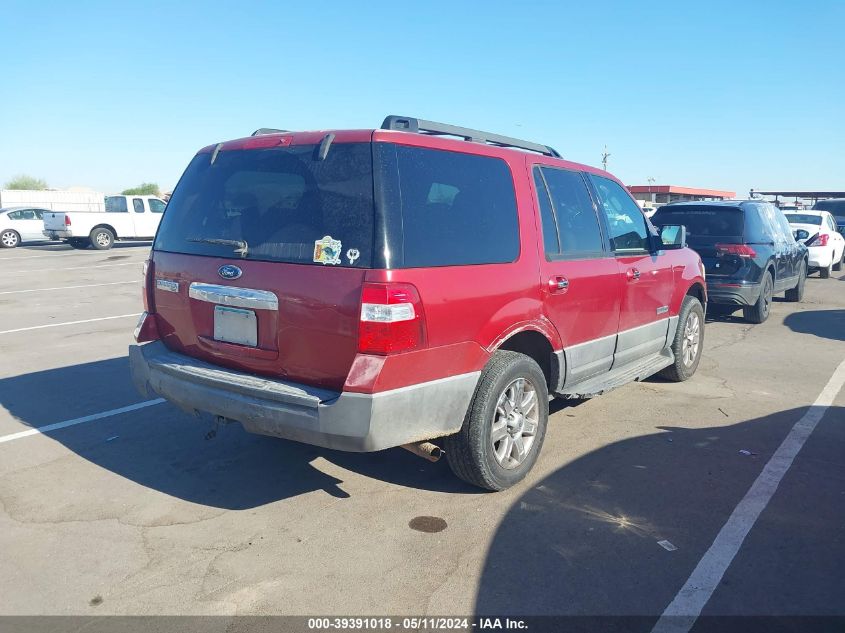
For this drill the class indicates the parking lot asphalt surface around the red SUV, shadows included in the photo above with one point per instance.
(140, 512)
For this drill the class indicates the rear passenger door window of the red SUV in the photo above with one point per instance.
(574, 218)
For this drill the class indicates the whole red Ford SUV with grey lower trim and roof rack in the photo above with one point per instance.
(364, 289)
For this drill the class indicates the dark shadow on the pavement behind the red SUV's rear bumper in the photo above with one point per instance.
(165, 449)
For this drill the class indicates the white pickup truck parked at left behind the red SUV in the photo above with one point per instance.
(125, 218)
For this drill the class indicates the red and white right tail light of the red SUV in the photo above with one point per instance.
(392, 319)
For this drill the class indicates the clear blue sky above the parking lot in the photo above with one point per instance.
(727, 95)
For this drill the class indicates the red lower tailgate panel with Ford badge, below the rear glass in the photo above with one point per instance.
(310, 336)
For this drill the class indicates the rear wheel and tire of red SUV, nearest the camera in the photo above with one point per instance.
(501, 408)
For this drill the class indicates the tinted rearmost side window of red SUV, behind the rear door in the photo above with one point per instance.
(446, 208)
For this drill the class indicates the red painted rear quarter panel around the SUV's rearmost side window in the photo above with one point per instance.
(469, 309)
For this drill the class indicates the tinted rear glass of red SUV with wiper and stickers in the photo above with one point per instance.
(279, 205)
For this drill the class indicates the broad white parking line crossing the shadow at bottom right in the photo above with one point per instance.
(682, 612)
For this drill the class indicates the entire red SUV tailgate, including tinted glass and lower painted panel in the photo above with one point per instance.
(275, 241)
